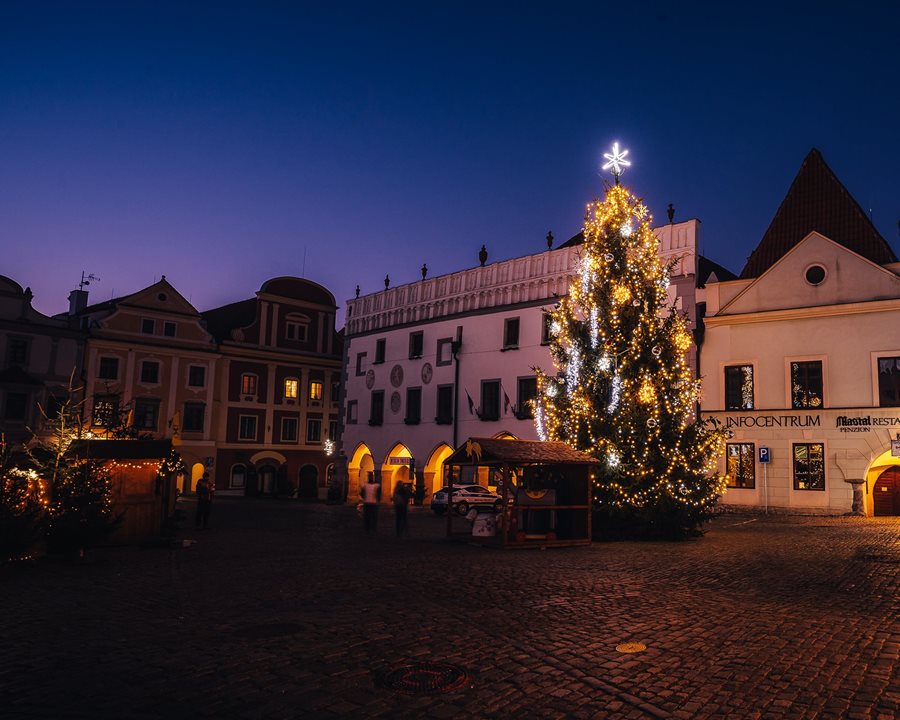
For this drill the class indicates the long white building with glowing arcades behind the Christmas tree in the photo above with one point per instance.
(432, 363)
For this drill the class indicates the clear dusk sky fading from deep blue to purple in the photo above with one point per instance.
(224, 143)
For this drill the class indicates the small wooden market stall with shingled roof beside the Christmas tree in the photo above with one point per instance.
(545, 487)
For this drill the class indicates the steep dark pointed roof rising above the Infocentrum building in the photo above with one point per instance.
(818, 202)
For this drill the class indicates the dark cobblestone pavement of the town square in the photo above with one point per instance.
(286, 610)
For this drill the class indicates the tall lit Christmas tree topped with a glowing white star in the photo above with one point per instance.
(624, 391)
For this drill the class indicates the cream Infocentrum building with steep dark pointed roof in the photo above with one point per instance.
(801, 359)
